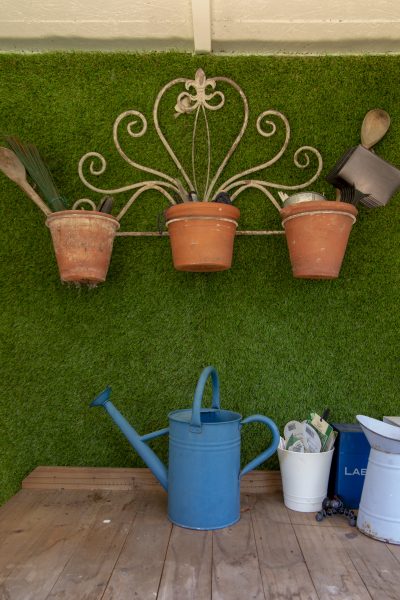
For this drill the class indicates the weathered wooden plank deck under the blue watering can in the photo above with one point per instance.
(99, 543)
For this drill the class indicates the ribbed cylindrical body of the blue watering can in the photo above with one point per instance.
(203, 471)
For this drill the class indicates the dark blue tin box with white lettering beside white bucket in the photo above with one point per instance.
(349, 463)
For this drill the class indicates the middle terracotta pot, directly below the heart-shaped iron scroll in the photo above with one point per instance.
(202, 235)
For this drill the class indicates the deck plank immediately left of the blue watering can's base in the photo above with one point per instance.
(138, 570)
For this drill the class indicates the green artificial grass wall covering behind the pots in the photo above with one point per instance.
(282, 346)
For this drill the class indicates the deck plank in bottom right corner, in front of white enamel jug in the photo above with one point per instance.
(374, 562)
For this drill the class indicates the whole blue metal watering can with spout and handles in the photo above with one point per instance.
(203, 477)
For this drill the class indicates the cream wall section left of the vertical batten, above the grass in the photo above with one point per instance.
(95, 24)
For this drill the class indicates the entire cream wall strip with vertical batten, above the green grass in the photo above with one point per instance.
(266, 26)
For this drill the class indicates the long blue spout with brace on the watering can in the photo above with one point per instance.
(137, 442)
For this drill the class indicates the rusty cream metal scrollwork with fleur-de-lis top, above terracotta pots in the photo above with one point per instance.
(199, 96)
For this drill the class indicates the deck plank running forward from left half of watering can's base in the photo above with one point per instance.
(187, 569)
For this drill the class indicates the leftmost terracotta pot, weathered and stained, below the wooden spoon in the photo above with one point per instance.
(83, 242)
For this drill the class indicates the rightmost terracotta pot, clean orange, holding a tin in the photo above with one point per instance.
(317, 234)
